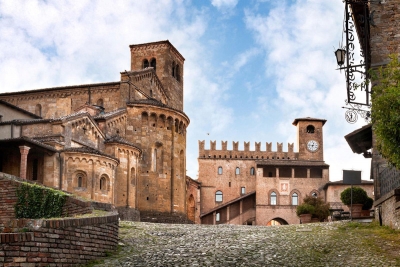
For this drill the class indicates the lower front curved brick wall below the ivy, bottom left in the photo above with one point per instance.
(59, 242)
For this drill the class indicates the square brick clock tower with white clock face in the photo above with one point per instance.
(310, 138)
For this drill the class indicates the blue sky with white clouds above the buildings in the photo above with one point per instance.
(251, 68)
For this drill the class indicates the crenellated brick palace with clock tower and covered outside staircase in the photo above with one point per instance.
(262, 187)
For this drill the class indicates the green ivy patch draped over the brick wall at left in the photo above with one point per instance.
(35, 201)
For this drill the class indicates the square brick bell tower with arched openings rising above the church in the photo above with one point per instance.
(168, 65)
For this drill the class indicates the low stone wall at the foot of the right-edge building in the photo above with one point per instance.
(388, 206)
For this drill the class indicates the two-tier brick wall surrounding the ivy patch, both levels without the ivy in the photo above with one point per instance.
(53, 242)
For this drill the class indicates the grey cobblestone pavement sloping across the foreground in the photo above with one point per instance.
(320, 244)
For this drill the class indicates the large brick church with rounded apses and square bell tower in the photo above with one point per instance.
(120, 142)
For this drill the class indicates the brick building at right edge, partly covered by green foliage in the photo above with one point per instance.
(383, 27)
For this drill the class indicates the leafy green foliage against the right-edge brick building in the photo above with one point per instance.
(385, 110)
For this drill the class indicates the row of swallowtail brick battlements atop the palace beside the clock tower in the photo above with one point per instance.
(213, 152)
